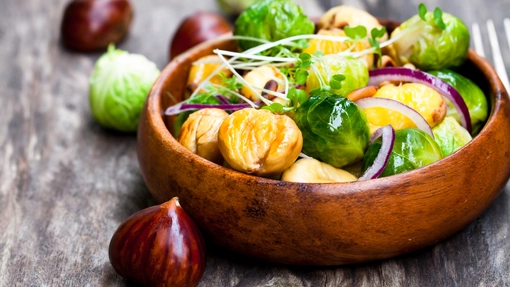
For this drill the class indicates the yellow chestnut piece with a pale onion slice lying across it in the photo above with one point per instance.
(429, 103)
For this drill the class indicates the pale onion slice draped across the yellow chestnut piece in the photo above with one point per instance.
(407, 111)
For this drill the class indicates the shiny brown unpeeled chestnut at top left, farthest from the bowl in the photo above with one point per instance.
(90, 25)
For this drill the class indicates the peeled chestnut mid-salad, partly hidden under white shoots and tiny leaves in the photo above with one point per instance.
(258, 79)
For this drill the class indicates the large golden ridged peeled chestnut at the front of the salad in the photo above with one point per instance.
(259, 142)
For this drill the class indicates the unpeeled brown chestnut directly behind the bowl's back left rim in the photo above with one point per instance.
(198, 28)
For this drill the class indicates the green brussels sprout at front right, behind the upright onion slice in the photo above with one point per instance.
(412, 149)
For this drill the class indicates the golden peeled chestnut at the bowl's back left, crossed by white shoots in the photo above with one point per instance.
(202, 68)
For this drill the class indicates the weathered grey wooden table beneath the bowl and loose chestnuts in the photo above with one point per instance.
(66, 183)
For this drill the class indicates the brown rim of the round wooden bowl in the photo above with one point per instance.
(496, 95)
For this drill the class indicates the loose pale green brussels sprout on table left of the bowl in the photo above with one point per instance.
(118, 88)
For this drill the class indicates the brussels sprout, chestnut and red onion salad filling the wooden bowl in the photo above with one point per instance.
(319, 97)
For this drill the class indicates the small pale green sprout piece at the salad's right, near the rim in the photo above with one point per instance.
(450, 136)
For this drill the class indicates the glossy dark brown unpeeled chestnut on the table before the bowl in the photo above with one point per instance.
(159, 246)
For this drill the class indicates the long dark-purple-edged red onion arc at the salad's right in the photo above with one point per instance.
(378, 76)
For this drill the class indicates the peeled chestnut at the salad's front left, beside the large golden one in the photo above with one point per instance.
(199, 133)
